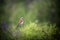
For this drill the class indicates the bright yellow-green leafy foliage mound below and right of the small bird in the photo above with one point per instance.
(34, 31)
